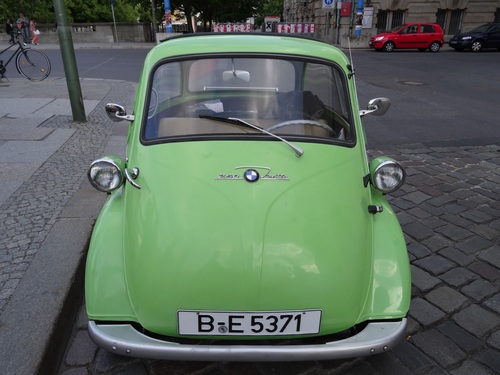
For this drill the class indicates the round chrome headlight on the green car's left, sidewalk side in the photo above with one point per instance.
(106, 174)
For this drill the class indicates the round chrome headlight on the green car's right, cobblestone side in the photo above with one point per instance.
(387, 175)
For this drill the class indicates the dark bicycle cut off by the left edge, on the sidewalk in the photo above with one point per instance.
(31, 64)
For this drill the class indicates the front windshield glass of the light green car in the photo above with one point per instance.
(292, 97)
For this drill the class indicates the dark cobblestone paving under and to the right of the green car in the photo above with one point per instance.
(449, 209)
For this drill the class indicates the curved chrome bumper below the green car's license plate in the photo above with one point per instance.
(123, 339)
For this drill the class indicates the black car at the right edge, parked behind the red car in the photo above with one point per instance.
(478, 39)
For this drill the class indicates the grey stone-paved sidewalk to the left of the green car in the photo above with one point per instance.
(47, 209)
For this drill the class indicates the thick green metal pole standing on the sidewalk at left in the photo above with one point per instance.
(69, 62)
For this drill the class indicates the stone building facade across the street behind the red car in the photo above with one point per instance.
(335, 22)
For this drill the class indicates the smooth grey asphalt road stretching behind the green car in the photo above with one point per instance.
(439, 99)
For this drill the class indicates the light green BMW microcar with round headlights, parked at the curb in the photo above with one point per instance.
(246, 222)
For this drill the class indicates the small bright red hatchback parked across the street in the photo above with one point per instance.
(418, 35)
